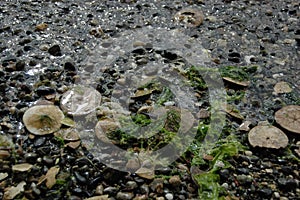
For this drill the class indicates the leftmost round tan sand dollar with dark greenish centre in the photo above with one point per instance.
(43, 119)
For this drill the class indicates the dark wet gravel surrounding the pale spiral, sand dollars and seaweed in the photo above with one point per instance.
(44, 46)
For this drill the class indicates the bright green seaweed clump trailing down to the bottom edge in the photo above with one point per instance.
(208, 181)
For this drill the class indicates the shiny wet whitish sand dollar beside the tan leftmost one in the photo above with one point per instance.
(80, 100)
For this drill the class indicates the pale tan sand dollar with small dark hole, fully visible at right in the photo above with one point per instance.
(267, 136)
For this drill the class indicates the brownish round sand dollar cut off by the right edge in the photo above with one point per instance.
(288, 117)
